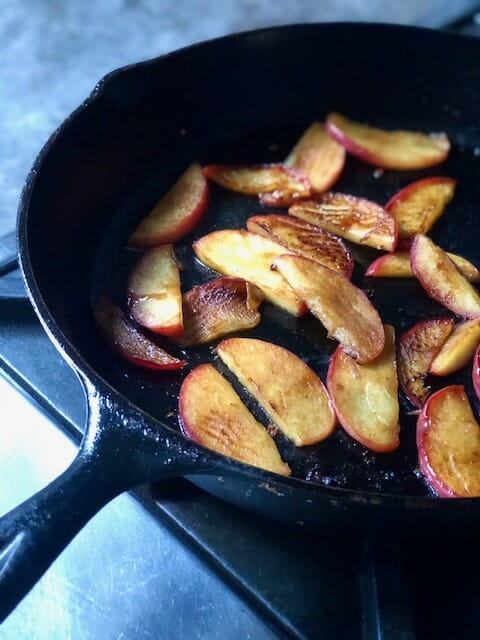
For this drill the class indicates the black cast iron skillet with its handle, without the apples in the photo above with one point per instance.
(243, 98)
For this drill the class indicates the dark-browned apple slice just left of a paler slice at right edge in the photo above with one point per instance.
(416, 351)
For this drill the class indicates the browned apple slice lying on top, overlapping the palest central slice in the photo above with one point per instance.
(343, 309)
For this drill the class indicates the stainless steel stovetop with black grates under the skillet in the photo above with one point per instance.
(170, 561)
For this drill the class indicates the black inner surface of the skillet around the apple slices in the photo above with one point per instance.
(230, 101)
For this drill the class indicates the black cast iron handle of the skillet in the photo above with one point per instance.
(34, 533)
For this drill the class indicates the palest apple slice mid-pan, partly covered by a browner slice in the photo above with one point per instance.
(247, 255)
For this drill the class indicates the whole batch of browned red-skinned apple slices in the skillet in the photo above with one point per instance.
(300, 260)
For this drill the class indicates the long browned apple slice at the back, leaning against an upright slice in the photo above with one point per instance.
(276, 184)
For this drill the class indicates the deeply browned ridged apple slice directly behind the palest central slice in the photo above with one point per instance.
(306, 240)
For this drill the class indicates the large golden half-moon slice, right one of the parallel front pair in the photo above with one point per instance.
(291, 394)
